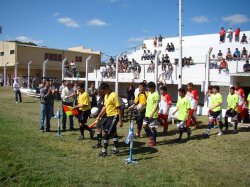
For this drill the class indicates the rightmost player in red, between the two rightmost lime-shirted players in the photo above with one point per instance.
(241, 93)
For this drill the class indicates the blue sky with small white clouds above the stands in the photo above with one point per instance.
(112, 26)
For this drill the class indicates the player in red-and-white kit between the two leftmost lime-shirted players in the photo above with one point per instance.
(164, 107)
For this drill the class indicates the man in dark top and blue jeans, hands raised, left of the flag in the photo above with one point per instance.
(46, 99)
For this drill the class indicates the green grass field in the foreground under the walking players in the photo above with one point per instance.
(29, 157)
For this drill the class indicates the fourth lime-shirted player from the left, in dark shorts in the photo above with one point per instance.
(232, 109)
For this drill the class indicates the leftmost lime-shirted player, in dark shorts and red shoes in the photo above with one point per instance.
(150, 121)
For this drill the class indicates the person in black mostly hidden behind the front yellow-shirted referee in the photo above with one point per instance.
(99, 123)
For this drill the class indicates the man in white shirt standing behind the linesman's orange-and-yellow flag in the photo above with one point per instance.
(68, 98)
